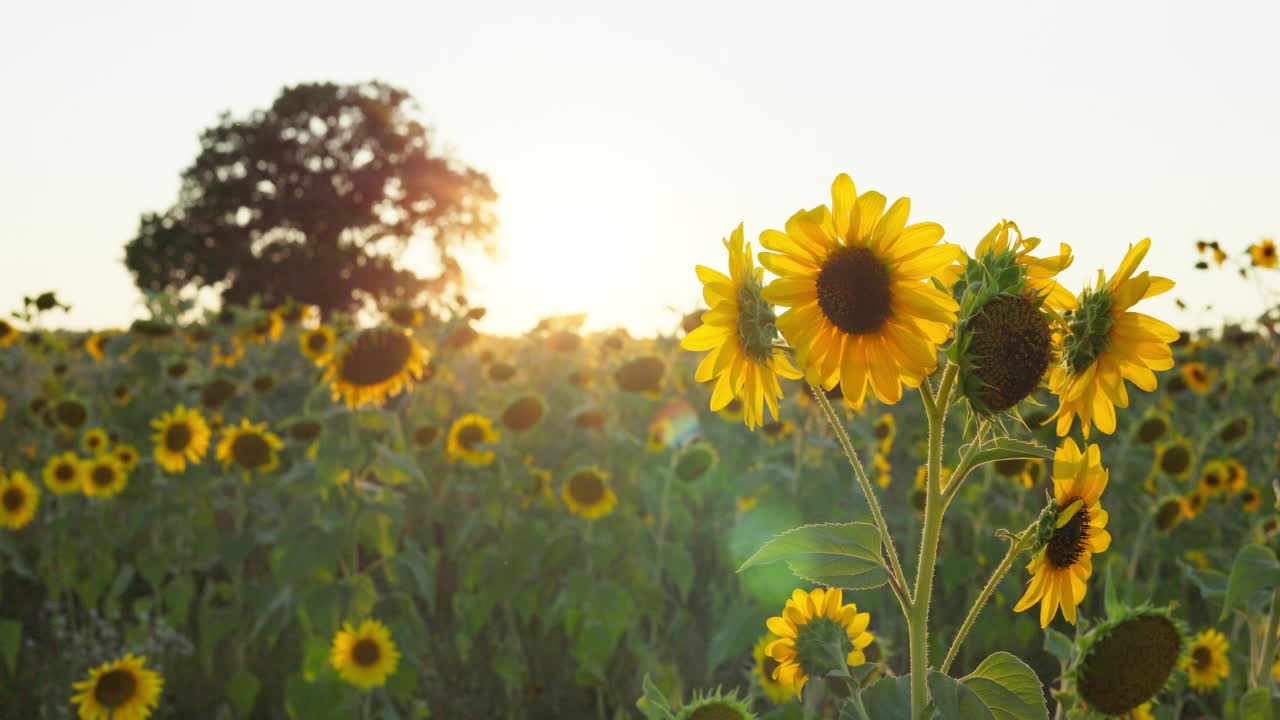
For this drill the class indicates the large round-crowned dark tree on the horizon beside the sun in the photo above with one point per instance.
(316, 199)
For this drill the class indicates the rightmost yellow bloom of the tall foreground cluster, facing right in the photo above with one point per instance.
(1107, 345)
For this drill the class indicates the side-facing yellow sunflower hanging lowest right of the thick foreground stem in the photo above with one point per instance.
(1072, 530)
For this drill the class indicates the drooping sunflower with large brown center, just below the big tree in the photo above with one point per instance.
(376, 364)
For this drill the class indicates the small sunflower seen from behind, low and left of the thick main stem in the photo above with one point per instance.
(817, 635)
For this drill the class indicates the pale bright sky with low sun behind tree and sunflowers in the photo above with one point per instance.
(627, 140)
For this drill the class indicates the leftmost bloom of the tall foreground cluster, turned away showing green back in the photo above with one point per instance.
(739, 331)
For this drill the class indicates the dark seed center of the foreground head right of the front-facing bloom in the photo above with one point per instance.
(1012, 349)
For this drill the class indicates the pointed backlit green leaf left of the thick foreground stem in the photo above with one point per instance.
(844, 557)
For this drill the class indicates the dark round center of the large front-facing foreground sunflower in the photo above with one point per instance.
(854, 290)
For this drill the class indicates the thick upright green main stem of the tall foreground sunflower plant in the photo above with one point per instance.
(918, 619)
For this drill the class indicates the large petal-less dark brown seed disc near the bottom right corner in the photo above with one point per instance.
(1127, 660)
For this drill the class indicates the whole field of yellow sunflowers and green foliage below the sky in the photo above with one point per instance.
(262, 513)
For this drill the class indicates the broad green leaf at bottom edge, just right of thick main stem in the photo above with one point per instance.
(1002, 689)
